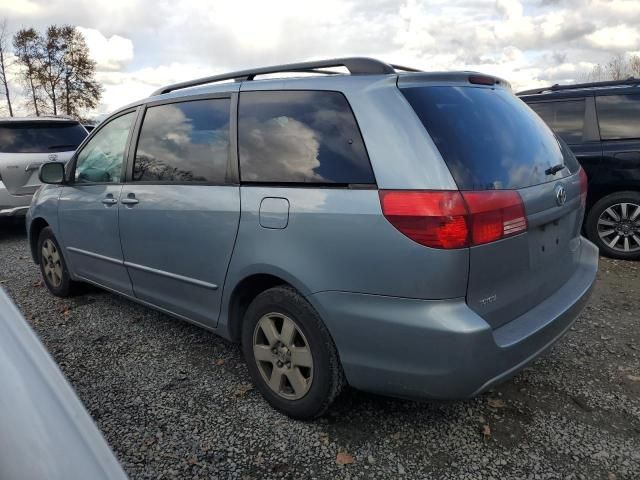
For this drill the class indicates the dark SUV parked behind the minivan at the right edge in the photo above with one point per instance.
(601, 123)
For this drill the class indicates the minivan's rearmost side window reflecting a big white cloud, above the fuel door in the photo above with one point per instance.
(300, 137)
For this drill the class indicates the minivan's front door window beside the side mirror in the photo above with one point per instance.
(100, 160)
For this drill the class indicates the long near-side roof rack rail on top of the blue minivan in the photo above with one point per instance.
(355, 65)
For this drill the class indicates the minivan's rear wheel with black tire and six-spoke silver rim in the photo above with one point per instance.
(317, 386)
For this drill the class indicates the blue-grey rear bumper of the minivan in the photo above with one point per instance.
(442, 349)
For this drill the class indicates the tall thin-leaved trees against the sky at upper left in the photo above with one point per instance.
(54, 68)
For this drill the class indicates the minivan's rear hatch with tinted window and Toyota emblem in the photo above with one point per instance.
(491, 141)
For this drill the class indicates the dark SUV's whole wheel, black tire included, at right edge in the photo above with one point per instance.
(601, 220)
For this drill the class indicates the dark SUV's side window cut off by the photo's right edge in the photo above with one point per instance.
(618, 116)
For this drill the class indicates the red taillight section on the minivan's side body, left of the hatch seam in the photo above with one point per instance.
(434, 219)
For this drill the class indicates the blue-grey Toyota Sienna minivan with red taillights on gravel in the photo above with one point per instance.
(406, 233)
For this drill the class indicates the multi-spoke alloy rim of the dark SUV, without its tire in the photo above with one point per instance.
(619, 227)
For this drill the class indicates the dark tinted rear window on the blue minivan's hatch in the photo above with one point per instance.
(488, 137)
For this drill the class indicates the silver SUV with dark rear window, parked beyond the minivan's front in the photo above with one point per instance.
(25, 144)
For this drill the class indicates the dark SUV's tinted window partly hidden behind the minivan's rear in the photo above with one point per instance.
(565, 118)
